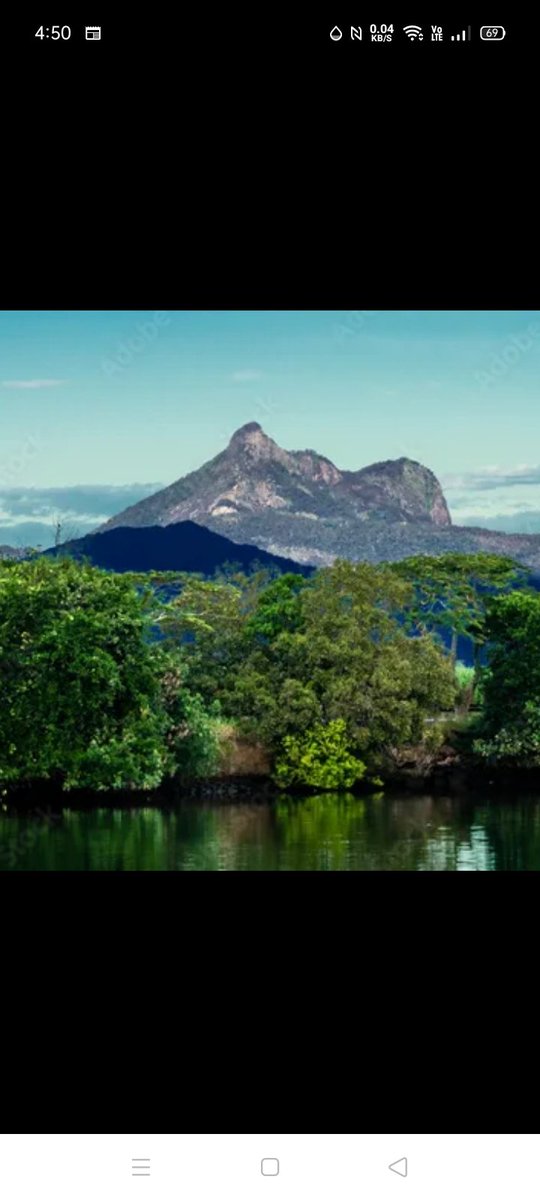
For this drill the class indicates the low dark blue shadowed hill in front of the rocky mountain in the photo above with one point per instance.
(184, 547)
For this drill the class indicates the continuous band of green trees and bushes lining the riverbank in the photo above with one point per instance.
(122, 681)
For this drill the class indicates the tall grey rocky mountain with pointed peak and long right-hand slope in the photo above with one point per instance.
(298, 505)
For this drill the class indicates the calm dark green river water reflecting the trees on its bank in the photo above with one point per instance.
(320, 833)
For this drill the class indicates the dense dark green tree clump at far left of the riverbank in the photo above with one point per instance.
(83, 698)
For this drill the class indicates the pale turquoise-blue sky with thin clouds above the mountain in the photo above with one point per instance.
(99, 409)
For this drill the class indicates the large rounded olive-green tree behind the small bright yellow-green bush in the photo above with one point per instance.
(349, 659)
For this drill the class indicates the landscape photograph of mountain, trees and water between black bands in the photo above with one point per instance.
(271, 591)
